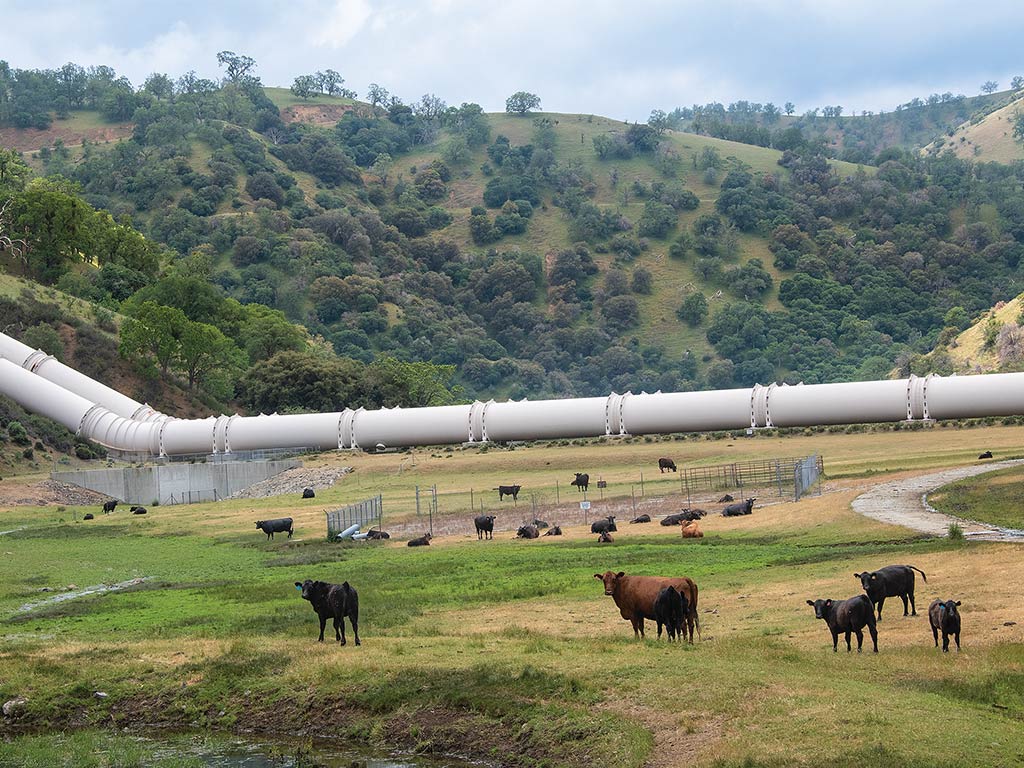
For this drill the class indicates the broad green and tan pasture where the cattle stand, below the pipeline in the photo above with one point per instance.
(507, 651)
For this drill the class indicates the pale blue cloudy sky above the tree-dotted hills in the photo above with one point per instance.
(619, 60)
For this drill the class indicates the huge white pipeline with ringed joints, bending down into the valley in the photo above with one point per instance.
(94, 411)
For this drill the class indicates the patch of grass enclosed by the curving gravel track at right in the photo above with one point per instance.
(996, 498)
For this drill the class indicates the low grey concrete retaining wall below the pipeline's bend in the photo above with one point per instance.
(176, 484)
